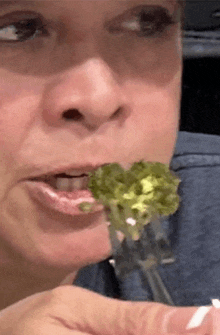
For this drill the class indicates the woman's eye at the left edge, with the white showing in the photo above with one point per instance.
(22, 30)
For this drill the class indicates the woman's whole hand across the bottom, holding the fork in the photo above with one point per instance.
(70, 310)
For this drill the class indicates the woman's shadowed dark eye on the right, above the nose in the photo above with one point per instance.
(145, 22)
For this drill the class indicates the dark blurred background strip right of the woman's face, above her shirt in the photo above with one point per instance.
(200, 105)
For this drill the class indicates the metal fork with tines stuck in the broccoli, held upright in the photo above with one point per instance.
(152, 249)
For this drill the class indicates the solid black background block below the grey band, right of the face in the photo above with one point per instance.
(200, 105)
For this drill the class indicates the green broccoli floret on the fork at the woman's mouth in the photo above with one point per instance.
(135, 196)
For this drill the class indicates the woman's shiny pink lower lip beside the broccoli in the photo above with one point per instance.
(61, 201)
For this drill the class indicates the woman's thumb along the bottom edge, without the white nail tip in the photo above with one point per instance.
(92, 313)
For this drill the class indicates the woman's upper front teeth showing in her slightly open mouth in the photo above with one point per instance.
(70, 184)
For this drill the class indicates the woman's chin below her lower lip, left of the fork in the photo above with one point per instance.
(74, 250)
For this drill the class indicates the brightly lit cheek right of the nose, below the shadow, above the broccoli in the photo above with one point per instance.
(154, 124)
